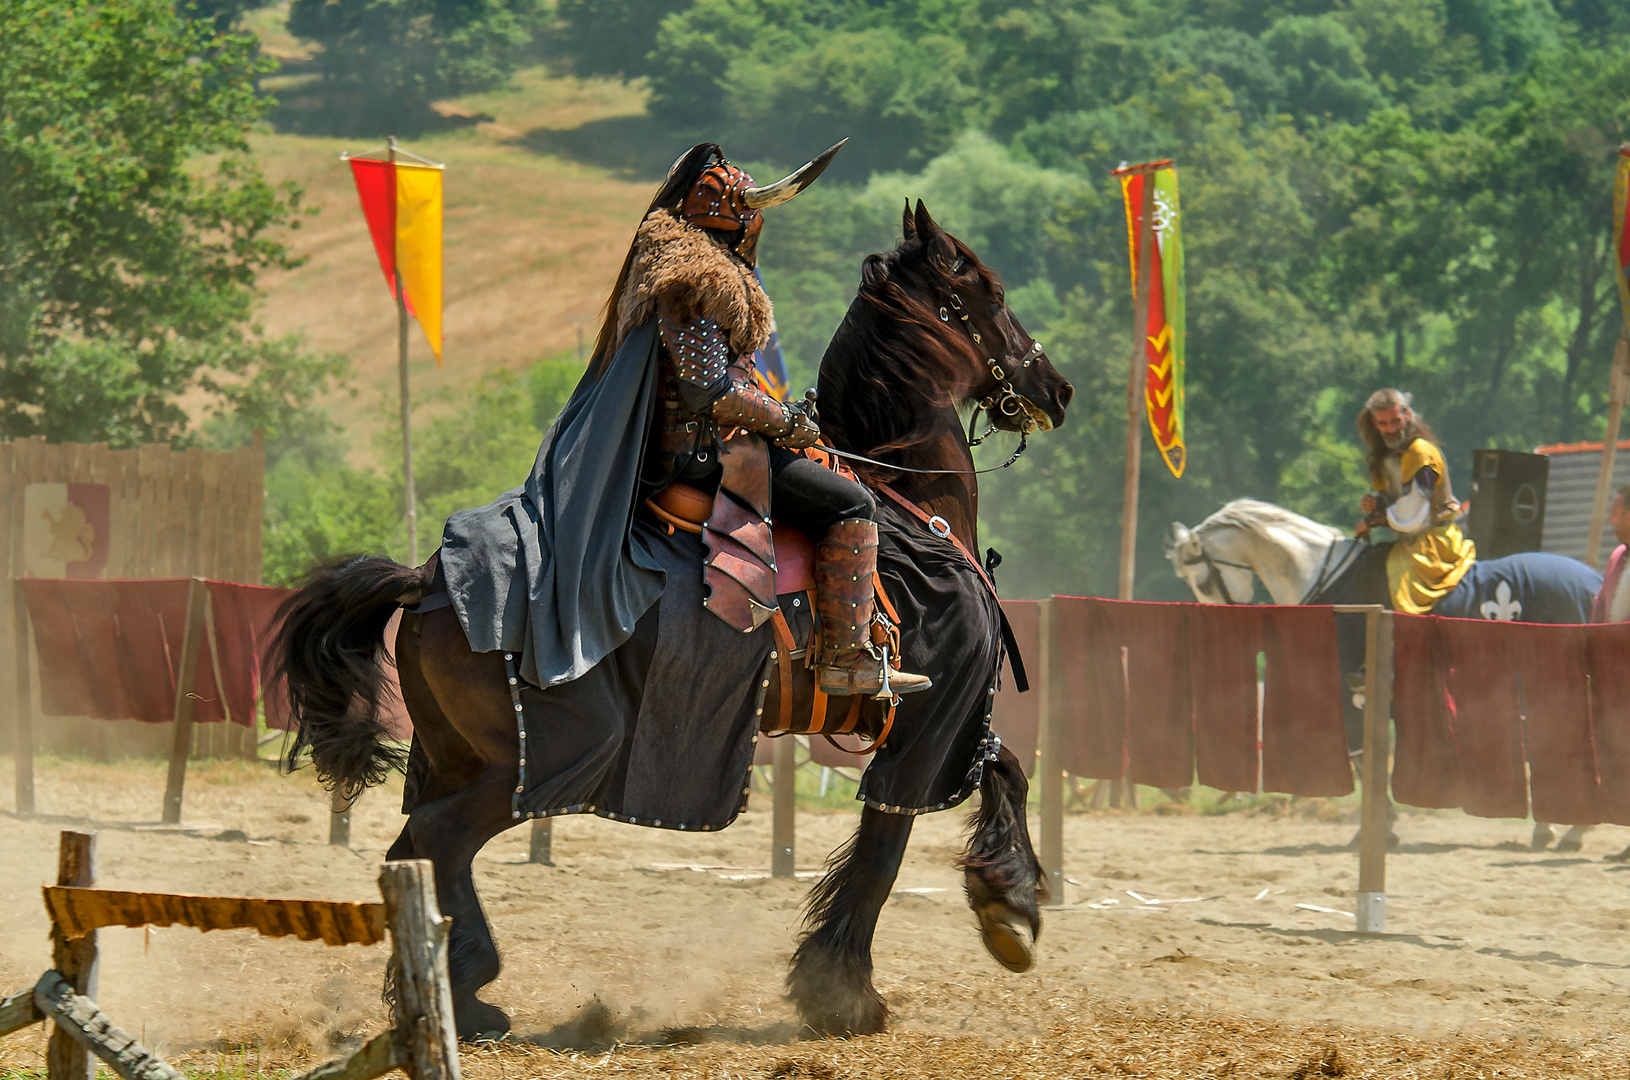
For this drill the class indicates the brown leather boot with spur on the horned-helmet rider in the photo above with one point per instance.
(845, 563)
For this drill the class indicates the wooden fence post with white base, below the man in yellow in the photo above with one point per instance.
(1377, 806)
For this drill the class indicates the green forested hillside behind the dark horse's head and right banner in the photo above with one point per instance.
(1409, 193)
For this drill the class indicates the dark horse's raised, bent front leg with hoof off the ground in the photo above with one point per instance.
(1002, 874)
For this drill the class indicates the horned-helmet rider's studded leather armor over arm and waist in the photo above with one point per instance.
(707, 390)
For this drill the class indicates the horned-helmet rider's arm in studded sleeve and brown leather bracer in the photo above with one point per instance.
(716, 389)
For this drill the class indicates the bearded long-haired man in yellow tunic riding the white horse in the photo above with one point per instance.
(1412, 496)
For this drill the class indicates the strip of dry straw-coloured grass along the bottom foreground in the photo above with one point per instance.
(1103, 1040)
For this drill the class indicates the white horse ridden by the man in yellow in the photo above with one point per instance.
(1298, 563)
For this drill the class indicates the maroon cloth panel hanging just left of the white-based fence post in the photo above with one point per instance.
(1303, 739)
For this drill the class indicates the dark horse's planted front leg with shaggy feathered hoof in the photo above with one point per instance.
(832, 970)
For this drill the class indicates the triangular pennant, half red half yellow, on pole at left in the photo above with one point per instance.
(403, 206)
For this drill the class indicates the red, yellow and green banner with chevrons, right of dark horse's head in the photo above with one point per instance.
(1165, 327)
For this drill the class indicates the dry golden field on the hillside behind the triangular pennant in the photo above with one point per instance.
(542, 200)
